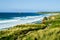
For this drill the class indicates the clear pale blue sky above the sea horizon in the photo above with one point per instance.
(29, 5)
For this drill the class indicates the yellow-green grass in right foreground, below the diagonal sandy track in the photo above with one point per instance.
(49, 34)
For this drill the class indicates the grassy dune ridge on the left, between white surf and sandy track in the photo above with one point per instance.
(19, 31)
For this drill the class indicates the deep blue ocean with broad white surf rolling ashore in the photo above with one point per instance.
(11, 19)
